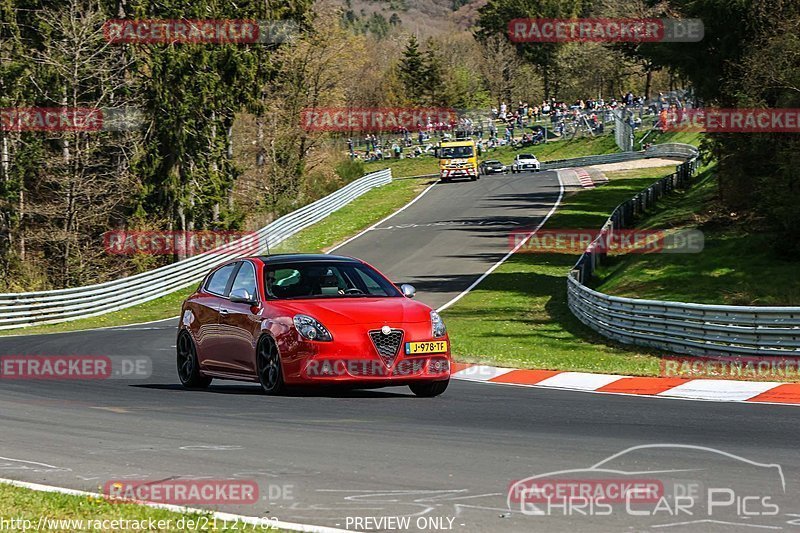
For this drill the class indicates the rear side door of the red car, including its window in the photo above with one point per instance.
(210, 338)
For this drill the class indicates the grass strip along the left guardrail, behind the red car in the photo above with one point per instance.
(358, 215)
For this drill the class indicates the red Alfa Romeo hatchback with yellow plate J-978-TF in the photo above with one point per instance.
(303, 319)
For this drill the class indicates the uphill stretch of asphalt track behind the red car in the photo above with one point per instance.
(455, 232)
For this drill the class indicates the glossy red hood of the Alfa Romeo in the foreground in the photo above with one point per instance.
(391, 311)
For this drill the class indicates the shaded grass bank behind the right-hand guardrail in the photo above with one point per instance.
(738, 266)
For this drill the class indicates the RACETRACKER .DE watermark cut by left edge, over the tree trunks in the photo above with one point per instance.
(84, 119)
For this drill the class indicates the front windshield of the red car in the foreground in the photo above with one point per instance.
(322, 279)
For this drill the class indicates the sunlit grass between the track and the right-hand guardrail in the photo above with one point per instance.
(518, 316)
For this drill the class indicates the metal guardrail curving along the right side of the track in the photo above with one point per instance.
(688, 328)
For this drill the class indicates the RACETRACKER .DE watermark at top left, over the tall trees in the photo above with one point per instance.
(198, 31)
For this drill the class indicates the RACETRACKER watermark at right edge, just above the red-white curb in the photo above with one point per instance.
(748, 368)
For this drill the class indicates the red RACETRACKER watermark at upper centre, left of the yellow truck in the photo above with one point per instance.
(375, 119)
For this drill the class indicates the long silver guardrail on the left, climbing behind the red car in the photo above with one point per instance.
(48, 307)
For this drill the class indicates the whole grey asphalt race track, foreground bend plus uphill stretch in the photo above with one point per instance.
(323, 456)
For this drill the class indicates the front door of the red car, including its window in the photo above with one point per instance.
(240, 324)
